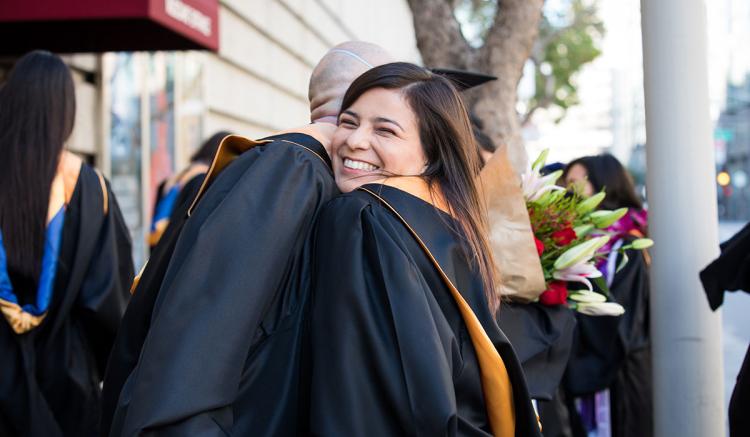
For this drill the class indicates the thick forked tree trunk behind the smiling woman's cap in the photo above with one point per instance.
(506, 48)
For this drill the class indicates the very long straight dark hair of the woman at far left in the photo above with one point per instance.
(37, 112)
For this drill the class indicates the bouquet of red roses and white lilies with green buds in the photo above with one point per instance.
(570, 234)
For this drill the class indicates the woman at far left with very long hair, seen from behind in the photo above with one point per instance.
(65, 262)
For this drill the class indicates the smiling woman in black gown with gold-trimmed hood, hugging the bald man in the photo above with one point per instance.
(403, 336)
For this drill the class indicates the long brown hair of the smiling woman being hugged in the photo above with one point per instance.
(449, 146)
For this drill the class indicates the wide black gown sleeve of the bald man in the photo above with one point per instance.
(232, 256)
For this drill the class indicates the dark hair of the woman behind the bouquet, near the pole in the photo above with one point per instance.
(605, 172)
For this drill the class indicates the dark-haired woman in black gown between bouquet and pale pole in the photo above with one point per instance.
(610, 367)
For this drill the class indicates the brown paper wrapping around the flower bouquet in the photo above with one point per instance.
(511, 238)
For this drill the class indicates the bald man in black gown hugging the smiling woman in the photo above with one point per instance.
(211, 343)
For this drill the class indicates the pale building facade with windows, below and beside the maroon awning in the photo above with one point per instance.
(140, 115)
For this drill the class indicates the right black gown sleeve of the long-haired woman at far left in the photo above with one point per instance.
(105, 290)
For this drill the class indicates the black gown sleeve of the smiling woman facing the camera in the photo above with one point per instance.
(383, 365)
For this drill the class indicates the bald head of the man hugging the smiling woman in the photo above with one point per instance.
(337, 70)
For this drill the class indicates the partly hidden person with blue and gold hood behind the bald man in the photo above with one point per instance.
(172, 190)
